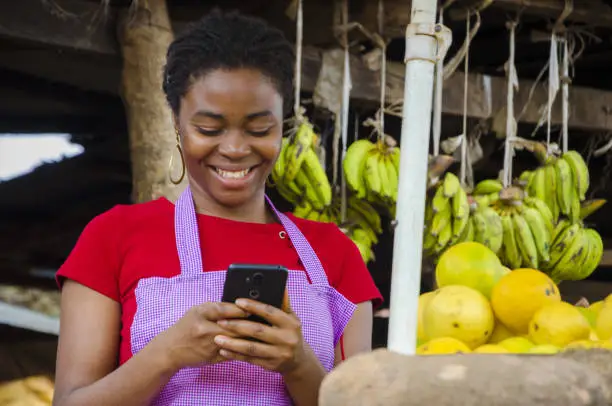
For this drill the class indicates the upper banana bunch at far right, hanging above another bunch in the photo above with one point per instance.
(562, 182)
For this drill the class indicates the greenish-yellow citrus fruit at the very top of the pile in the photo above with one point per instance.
(469, 264)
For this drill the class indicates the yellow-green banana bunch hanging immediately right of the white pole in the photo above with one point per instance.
(447, 216)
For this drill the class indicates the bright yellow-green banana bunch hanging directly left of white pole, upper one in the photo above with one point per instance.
(371, 170)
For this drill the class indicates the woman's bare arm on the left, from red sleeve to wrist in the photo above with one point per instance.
(87, 372)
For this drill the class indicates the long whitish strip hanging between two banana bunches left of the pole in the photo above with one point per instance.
(346, 89)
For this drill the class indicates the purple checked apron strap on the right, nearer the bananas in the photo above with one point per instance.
(309, 258)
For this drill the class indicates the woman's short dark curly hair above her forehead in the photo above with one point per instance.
(228, 41)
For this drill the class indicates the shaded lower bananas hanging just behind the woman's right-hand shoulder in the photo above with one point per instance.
(363, 223)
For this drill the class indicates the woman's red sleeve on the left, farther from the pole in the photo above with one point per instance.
(94, 260)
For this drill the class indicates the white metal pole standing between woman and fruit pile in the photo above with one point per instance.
(421, 51)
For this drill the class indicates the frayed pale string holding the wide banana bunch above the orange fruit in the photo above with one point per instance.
(510, 122)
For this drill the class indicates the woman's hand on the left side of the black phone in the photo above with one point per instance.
(189, 342)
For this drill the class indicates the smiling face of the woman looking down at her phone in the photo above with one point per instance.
(231, 127)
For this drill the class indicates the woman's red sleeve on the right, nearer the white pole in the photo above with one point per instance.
(354, 280)
